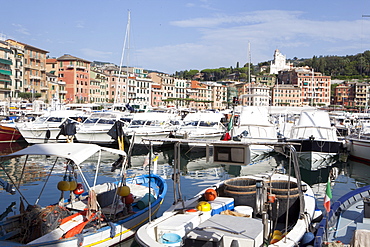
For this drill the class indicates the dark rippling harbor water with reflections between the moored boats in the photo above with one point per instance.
(198, 172)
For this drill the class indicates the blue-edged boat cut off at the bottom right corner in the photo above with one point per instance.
(348, 221)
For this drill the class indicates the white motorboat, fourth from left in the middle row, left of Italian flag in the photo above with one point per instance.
(201, 125)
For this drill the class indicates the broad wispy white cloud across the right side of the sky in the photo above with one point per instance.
(222, 40)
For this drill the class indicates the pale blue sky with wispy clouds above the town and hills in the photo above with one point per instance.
(177, 35)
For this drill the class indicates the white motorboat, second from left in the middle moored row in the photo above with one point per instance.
(96, 127)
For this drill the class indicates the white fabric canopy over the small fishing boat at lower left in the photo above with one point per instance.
(77, 152)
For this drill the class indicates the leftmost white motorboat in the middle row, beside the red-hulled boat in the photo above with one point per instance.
(46, 128)
